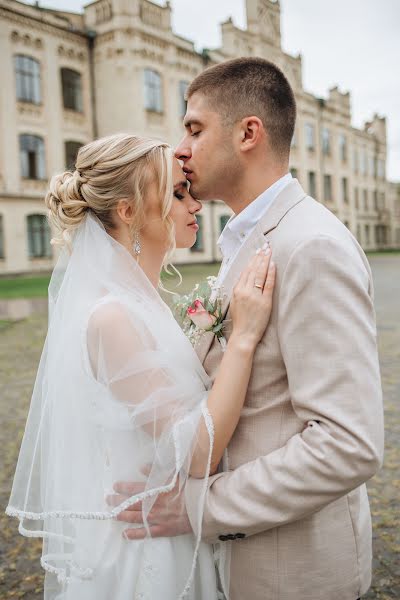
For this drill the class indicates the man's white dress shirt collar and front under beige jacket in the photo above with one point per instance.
(241, 226)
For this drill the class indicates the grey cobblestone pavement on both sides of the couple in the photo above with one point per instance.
(20, 347)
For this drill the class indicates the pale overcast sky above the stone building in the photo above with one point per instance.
(351, 43)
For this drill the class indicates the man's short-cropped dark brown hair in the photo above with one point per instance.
(252, 86)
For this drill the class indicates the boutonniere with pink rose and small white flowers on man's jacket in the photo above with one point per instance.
(201, 311)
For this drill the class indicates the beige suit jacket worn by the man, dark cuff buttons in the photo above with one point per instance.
(311, 430)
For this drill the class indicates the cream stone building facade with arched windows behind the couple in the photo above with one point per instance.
(68, 78)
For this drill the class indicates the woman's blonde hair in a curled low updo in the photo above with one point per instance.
(107, 170)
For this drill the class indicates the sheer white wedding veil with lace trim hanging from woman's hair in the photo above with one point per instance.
(119, 395)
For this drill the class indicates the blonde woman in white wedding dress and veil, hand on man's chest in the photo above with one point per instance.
(120, 393)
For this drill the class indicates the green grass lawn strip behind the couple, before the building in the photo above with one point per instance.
(36, 286)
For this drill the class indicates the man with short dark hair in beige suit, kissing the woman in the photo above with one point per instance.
(289, 509)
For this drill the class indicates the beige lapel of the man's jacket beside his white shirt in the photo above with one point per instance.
(291, 195)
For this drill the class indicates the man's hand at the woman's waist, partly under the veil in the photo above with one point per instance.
(167, 518)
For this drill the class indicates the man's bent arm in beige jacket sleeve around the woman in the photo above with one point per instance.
(327, 335)
